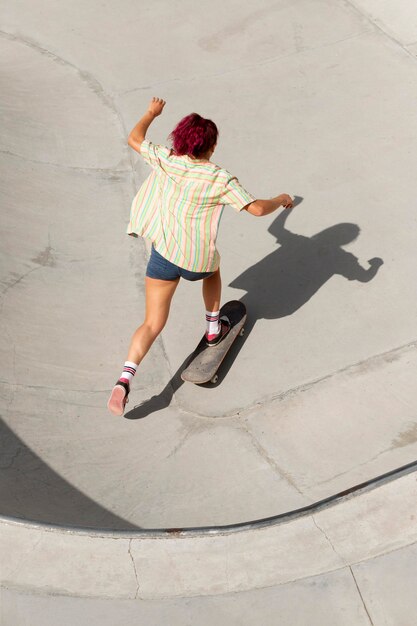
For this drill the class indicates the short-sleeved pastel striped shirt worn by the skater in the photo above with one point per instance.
(180, 204)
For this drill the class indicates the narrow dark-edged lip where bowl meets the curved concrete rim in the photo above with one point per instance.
(207, 531)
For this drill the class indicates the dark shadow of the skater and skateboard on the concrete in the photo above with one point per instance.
(280, 284)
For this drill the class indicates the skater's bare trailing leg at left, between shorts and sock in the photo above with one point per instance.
(158, 301)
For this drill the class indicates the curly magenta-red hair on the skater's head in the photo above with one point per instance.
(194, 135)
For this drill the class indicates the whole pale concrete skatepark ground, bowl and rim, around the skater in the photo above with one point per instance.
(300, 463)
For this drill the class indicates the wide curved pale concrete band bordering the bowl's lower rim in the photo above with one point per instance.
(122, 565)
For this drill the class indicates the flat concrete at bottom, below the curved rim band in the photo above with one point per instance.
(373, 593)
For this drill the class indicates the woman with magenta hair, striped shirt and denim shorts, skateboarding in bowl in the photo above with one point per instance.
(178, 208)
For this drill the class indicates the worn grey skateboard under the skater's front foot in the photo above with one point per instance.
(207, 360)
